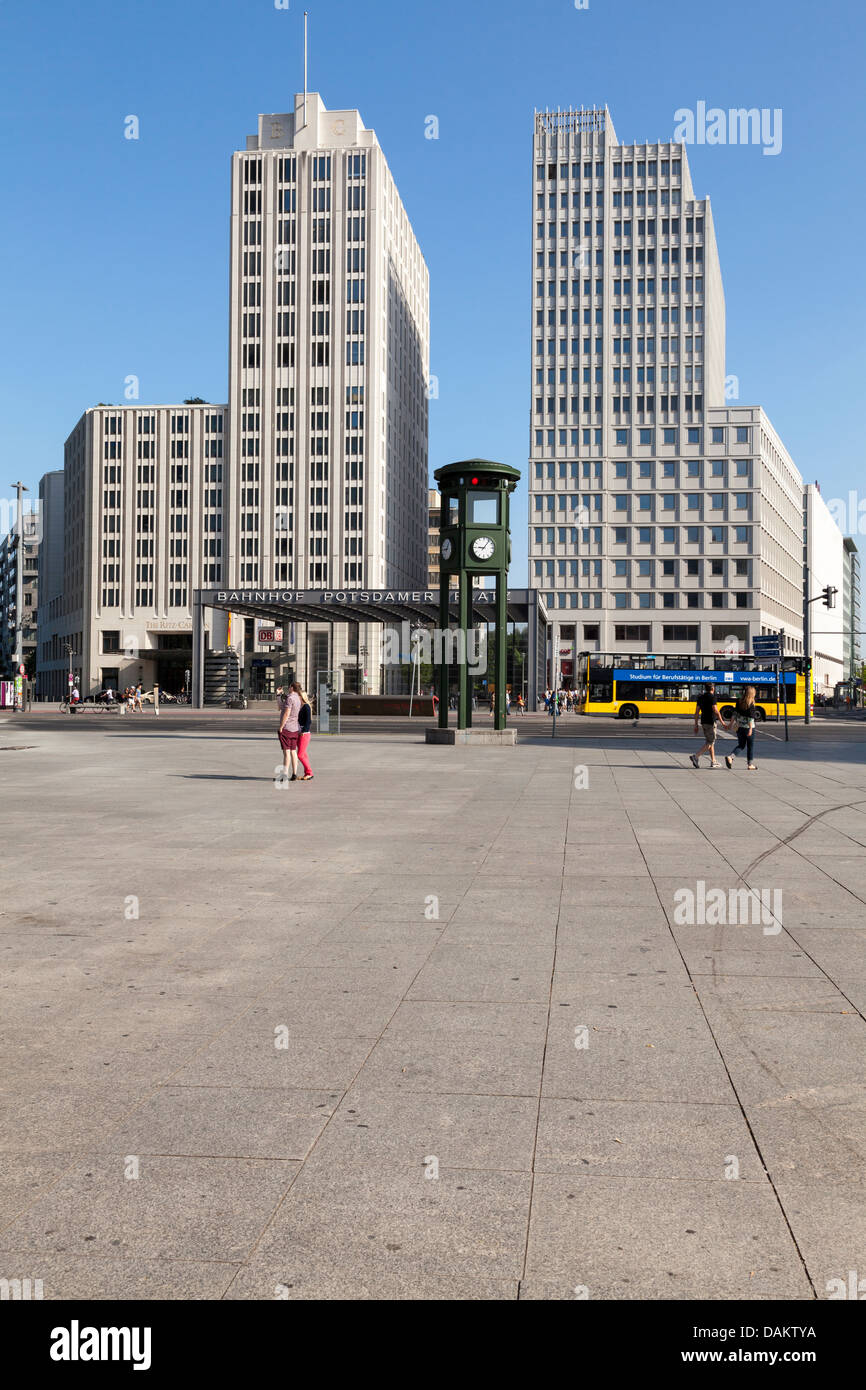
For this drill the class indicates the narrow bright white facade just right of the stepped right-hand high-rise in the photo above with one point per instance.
(824, 565)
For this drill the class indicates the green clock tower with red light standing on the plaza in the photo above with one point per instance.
(475, 540)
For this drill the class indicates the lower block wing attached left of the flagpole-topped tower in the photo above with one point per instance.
(142, 528)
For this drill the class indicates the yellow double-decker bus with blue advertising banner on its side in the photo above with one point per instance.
(669, 685)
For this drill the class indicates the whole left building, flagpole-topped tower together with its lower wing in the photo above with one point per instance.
(312, 476)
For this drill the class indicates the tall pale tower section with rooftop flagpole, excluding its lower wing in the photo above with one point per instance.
(329, 365)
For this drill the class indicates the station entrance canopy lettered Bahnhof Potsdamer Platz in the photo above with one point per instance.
(372, 605)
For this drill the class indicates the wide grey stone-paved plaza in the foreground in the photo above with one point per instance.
(443, 1024)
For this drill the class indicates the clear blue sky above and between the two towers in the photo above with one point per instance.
(115, 252)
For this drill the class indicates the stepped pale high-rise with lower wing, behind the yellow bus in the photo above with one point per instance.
(661, 516)
